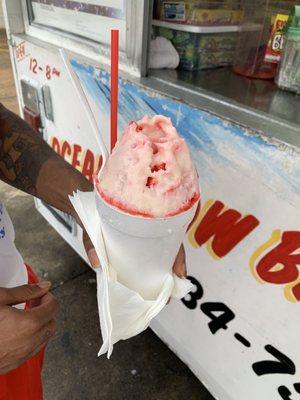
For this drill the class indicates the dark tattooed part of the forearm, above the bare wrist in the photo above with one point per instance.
(22, 152)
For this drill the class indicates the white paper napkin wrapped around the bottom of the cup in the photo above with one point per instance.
(123, 312)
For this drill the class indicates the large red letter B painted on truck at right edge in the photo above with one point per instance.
(282, 255)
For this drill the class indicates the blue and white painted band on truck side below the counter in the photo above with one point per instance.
(214, 143)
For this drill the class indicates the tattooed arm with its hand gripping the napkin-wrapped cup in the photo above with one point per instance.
(29, 164)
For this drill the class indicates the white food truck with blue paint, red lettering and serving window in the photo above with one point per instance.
(238, 330)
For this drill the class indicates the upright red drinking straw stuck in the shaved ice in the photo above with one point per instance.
(114, 83)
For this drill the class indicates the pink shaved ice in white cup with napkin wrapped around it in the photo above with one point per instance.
(144, 200)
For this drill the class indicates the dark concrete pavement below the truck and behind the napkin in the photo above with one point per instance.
(141, 368)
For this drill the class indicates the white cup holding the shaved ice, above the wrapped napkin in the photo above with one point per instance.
(142, 250)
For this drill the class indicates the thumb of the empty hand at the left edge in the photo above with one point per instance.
(21, 294)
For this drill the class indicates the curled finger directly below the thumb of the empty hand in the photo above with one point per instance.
(43, 313)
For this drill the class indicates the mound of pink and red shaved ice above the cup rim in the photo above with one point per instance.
(150, 172)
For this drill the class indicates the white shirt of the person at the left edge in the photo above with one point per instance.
(12, 269)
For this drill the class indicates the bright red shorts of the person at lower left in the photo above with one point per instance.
(24, 382)
